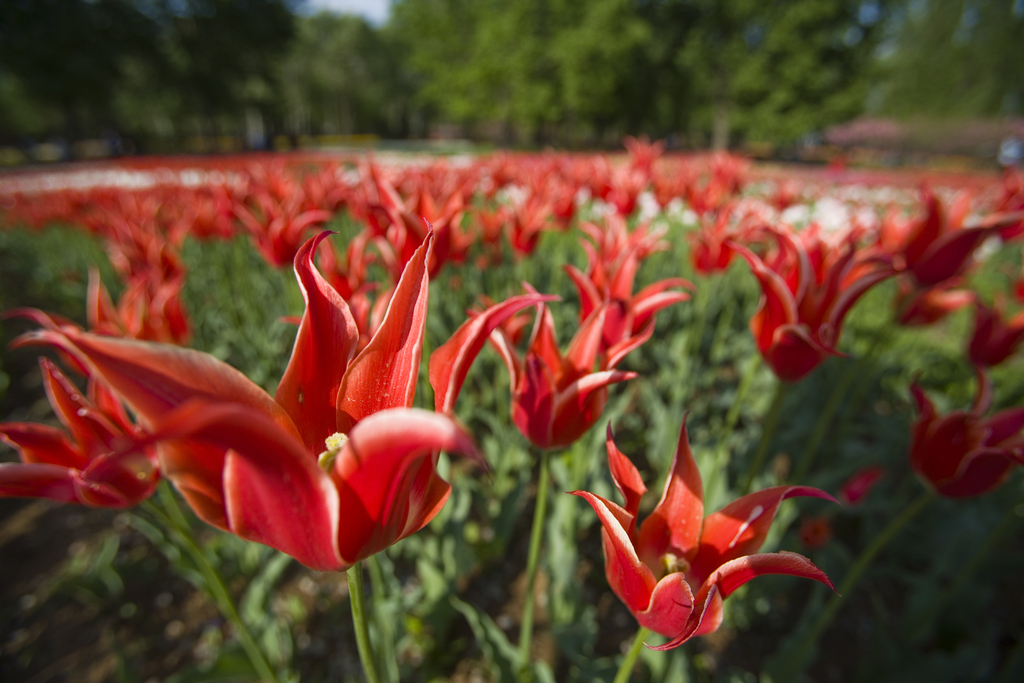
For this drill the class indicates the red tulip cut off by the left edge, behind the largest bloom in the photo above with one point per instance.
(102, 465)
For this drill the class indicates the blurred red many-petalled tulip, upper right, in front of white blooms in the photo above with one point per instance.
(809, 286)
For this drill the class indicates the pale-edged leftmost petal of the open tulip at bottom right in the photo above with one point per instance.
(630, 579)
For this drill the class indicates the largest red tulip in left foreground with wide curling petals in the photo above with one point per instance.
(338, 439)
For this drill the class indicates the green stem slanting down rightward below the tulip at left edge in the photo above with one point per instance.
(179, 527)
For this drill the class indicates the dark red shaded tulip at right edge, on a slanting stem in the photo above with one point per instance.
(963, 454)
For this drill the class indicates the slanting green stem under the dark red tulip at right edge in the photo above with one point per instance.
(804, 652)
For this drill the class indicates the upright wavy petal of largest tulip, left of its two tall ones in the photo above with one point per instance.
(324, 346)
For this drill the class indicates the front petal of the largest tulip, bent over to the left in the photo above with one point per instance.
(274, 493)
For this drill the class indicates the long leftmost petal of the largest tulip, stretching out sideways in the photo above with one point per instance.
(156, 378)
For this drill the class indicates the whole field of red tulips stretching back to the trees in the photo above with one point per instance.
(518, 417)
